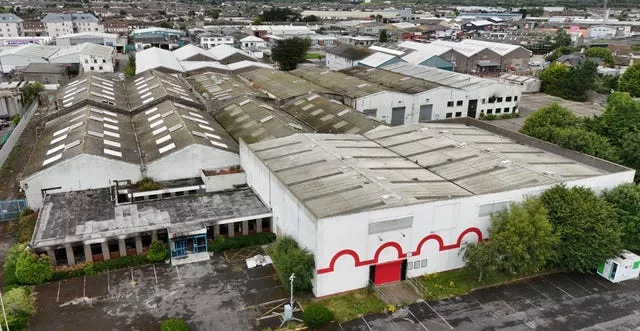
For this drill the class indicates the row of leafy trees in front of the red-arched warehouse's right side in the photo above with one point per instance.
(565, 228)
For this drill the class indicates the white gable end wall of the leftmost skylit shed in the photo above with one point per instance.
(79, 173)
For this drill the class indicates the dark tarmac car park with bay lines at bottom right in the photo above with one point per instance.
(553, 302)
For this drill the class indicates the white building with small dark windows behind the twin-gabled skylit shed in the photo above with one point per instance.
(91, 57)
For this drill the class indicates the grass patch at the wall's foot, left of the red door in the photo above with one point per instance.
(352, 305)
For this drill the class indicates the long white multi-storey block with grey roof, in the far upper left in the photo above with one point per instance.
(64, 24)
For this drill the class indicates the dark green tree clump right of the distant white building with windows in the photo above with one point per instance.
(570, 83)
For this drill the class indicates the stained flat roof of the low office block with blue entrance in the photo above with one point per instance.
(90, 216)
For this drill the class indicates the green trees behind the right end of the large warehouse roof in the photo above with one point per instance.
(614, 135)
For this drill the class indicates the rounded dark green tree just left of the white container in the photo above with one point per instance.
(586, 226)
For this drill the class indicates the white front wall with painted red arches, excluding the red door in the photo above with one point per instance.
(346, 250)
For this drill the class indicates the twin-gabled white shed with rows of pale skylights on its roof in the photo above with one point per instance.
(104, 130)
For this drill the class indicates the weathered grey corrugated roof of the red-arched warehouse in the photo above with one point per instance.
(409, 164)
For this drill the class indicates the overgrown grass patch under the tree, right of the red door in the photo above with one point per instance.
(456, 282)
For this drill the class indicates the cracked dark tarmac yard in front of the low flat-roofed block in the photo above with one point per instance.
(209, 295)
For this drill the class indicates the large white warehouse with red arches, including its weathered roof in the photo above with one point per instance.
(401, 202)
